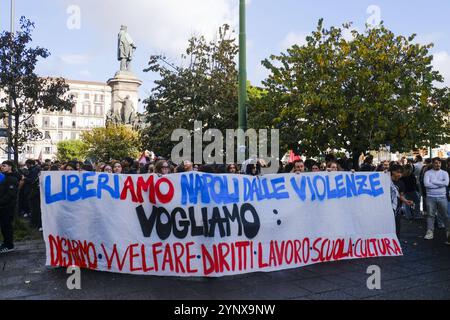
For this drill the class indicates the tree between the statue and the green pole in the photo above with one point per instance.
(206, 90)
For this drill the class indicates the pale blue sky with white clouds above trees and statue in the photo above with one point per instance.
(163, 26)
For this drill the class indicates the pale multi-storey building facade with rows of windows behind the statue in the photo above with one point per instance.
(92, 103)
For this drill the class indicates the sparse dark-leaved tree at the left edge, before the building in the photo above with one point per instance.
(24, 88)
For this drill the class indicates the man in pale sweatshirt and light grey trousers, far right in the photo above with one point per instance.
(436, 181)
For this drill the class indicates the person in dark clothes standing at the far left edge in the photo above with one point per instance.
(8, 200)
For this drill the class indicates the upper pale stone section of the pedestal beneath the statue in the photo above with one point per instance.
(124, 84)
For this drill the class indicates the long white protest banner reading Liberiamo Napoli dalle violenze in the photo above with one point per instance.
(195, 224)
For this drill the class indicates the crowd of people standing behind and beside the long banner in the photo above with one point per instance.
(419, 188)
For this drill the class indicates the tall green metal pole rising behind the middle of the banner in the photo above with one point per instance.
(242, 100)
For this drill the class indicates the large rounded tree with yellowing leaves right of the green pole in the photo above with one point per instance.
(355, 95)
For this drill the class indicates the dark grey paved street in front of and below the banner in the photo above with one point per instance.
(423, 273)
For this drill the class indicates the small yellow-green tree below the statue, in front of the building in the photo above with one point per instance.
(114, 142)
